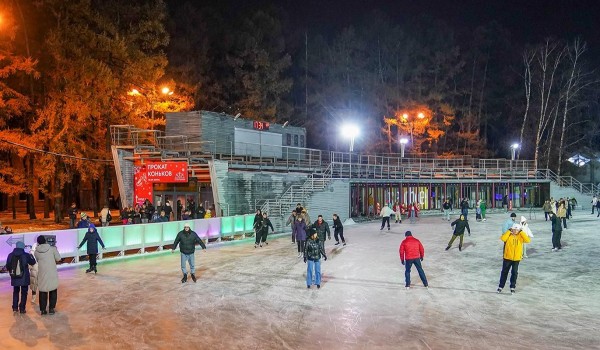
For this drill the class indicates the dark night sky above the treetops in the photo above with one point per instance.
(528, 21)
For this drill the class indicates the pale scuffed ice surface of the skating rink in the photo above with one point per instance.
(250, 298)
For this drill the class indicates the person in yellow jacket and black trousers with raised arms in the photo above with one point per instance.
(513, 252)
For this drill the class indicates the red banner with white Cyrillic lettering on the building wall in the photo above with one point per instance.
(160, 172)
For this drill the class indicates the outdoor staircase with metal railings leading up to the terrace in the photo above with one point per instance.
(281, 207)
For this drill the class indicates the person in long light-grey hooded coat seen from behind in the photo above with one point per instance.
(47, 257)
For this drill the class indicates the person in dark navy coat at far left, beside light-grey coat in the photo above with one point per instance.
(17, 265)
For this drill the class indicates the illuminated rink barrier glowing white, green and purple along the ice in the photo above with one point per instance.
(123, 238)
